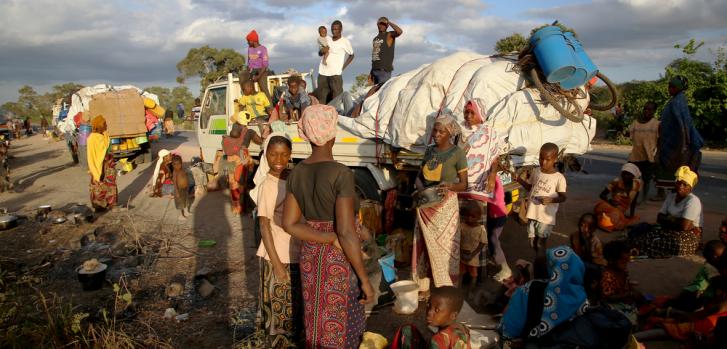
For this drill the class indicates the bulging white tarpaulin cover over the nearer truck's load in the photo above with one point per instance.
(407, 105)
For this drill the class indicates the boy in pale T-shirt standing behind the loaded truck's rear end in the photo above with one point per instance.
(547, 189)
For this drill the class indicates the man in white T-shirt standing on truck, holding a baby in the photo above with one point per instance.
(340, 55)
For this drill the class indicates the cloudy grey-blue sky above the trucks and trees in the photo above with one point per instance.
(47, 42)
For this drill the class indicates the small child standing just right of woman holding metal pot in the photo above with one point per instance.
(473, 239)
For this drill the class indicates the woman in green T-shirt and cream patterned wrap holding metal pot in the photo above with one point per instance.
(436, 236)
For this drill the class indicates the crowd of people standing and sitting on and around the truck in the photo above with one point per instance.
(313, 281)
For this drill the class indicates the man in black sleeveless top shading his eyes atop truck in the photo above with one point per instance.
(382, 54)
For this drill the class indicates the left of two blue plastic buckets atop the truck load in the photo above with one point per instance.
(553, 53)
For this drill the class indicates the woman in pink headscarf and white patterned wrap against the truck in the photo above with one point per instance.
(482, 147)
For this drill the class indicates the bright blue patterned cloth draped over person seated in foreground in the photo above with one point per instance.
(564, 296)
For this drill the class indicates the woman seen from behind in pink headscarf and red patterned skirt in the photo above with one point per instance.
(335, 283)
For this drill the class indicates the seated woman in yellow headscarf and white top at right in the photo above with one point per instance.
(680, 220)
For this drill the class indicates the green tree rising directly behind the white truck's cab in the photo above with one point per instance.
(209, 64)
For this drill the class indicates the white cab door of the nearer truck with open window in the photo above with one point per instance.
(212, 123)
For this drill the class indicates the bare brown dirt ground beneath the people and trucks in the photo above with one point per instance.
(147, 241)
